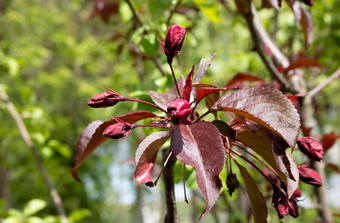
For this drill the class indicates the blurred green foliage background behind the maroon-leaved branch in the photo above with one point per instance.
(56, 54)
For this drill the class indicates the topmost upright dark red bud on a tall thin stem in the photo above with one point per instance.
(173, 41)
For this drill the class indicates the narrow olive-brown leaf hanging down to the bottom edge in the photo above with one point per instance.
(258, 204)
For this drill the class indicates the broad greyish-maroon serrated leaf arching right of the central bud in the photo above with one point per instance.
(266, 106)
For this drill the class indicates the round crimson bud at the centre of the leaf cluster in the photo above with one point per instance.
(179, 109)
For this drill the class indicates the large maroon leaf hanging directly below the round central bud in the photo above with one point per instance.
(201, 146)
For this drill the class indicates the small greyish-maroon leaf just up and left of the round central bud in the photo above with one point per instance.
(163, 100)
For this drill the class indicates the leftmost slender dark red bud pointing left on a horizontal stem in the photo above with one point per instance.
(105, 99)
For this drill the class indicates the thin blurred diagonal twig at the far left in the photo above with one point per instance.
(26, 137)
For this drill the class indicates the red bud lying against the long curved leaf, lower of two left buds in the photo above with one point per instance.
(119, 130)
